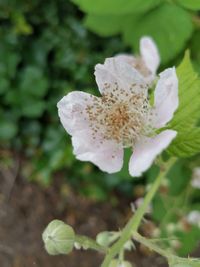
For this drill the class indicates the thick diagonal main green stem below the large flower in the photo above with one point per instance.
(133, 224)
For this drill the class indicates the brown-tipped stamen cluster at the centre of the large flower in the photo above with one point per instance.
(119, 116)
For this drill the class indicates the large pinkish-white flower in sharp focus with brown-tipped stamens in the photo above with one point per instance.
(101, 127)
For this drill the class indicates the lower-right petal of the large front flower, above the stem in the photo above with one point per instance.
(147, 149)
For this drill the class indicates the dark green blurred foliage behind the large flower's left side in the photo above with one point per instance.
(45, 52)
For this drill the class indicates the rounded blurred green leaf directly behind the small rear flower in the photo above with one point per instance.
(169, 25)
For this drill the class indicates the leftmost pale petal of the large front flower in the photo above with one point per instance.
(71, 110)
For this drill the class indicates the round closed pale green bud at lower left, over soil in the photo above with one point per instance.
(58, 238)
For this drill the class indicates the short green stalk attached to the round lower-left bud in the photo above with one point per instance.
(88, 243)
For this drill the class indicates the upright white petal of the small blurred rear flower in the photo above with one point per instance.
(150, 54)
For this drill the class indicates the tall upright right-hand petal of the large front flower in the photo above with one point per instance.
(165, 98)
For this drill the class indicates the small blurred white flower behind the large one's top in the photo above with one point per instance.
(148, 61)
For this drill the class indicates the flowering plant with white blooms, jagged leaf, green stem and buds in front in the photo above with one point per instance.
(148, 114)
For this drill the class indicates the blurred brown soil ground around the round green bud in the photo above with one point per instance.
(26, 209)
